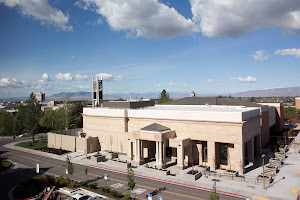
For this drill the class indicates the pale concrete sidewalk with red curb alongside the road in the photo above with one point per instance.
(279, 189)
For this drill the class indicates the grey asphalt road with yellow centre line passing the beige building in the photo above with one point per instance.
(117, 180)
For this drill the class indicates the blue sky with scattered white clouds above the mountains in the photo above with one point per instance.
(146, 46)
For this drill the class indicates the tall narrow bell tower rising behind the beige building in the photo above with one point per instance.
(97, 99)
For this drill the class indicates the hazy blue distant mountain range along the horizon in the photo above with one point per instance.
(278, 92)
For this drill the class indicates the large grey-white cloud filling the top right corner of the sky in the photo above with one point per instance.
(219, 18)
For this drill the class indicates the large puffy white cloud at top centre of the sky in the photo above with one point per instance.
(147, 18)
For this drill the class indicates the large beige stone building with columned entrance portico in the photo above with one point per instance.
(216, 135)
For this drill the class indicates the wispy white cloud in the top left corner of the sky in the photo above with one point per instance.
(41, 10)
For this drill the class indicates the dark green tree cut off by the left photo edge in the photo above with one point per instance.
(6, 124)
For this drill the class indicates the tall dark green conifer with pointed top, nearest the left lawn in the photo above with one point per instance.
(32, 116)
